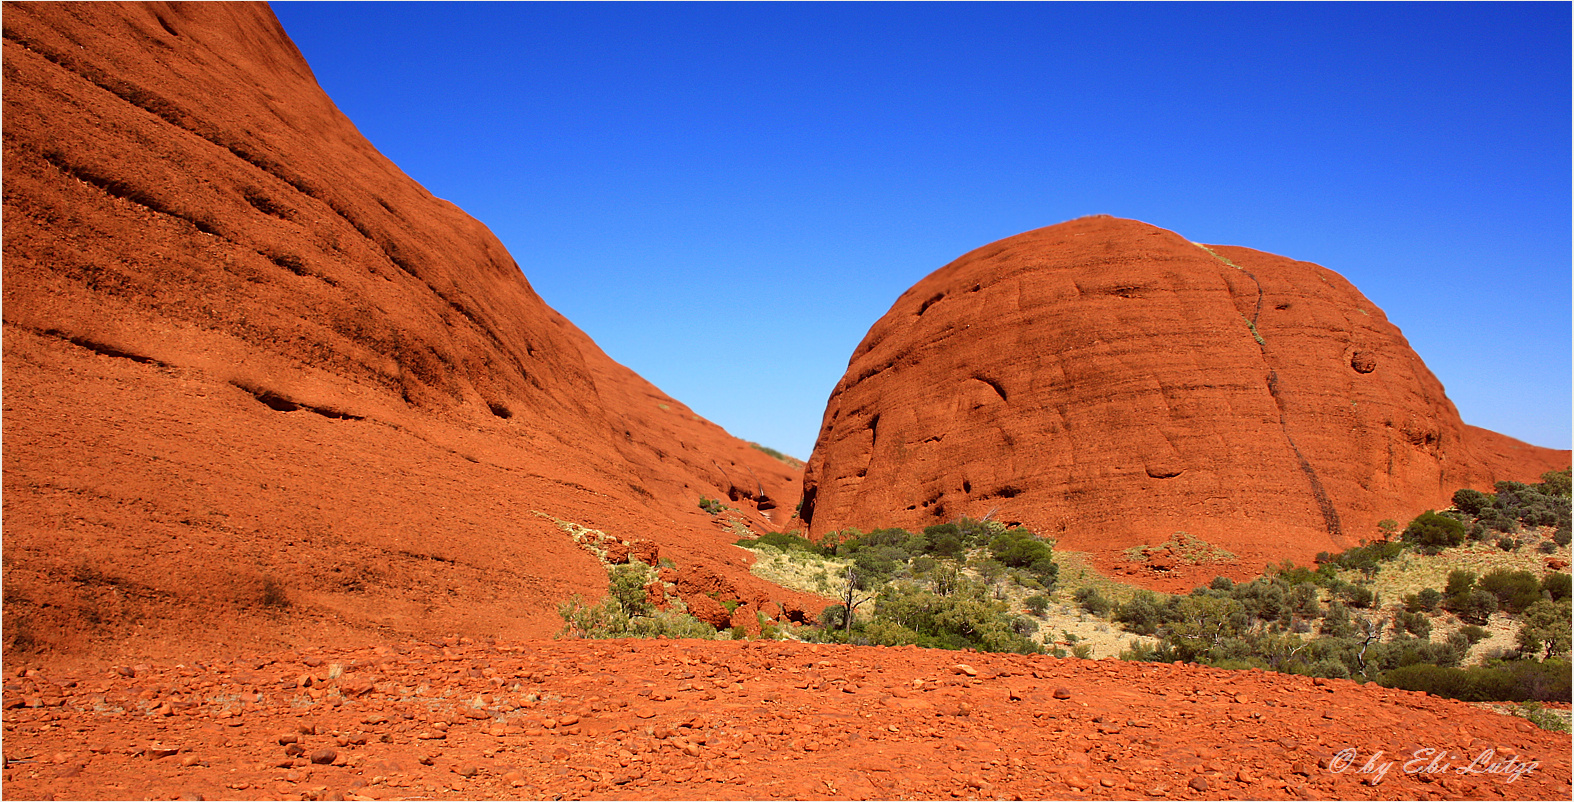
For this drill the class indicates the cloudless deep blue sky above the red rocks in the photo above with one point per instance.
(728, 196)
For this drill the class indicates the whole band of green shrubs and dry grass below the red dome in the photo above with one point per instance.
(1457, 603)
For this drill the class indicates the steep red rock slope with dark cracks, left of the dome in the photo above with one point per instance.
(264, 389)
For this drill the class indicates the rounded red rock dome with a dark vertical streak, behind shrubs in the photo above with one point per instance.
(1110, 384)
